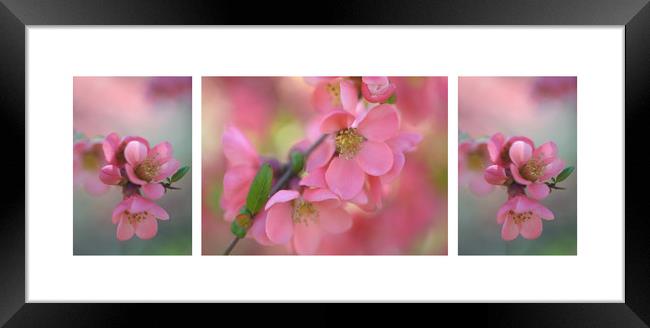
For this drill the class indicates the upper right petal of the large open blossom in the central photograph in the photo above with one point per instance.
(381, 123)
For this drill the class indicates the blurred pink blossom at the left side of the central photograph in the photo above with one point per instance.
(243, 163)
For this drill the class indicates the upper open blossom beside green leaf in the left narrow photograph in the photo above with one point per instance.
(149, 167)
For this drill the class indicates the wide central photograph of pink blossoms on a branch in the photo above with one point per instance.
(324, 165)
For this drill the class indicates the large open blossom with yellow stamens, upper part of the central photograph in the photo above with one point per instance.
(359, 146)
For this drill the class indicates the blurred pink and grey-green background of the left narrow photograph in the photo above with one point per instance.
(158, 109)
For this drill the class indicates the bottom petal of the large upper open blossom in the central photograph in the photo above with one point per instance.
(344, 177)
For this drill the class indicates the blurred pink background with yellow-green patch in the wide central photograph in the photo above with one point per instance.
(273, 112)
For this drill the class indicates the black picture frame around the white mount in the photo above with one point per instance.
(15, 15)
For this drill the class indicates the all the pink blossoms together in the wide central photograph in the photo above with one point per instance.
(362, 152)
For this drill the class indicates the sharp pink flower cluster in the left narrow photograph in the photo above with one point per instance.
(140, 171)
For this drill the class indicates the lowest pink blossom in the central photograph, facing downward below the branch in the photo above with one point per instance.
(298, 219)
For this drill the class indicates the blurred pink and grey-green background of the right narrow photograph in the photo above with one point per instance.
(543, 109)
